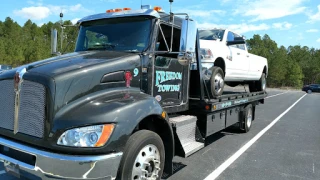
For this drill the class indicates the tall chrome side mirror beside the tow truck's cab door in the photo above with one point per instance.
(187, 41)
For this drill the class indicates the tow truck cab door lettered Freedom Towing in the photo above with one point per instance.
(170, 77)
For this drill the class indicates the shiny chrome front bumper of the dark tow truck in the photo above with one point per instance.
(57, 166)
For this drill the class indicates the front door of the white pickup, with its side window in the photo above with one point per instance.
(239, 65)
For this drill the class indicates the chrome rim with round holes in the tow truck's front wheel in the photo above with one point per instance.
(147, 164)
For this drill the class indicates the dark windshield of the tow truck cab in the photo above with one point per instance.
(119, 34)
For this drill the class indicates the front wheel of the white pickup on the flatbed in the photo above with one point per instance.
(216, 81)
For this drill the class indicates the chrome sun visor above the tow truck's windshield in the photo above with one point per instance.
(139, 12)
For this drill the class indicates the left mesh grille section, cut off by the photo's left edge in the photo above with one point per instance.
(6, 104)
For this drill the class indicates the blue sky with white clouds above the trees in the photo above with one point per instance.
(287, 22)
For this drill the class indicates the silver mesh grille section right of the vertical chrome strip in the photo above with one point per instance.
(32, 109)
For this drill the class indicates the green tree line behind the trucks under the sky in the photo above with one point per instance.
(293, 66)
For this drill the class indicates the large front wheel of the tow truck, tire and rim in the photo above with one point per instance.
(142, 147)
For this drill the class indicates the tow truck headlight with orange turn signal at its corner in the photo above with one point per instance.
(90, 136)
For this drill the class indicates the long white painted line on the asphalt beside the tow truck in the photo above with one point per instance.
(236, 155)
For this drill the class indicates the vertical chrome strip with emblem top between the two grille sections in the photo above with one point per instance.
(17, 88)
